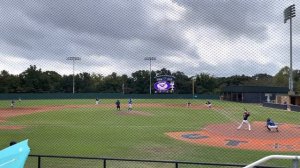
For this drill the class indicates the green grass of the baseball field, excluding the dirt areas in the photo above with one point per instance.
(101, 132)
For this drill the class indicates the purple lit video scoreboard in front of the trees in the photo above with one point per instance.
(164, 84)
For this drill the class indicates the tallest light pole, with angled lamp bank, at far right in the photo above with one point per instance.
(289, 13)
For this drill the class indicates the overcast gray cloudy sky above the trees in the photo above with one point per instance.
(219, 37)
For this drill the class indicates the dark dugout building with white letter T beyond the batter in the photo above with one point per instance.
(252, 94)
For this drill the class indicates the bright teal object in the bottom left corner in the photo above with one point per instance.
(14, 156)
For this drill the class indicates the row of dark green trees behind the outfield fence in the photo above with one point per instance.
(34, 80)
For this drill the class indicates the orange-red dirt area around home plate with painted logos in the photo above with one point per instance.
(259, 138)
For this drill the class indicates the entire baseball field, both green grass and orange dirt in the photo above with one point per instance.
(158, 129)
